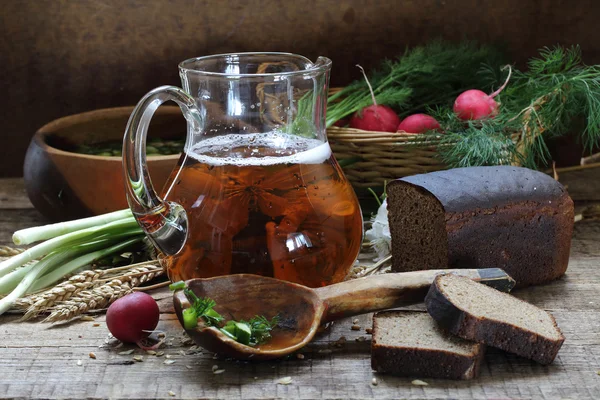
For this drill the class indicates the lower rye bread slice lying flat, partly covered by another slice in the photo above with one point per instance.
(409, 343)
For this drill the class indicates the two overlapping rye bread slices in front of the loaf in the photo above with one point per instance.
(464, 316)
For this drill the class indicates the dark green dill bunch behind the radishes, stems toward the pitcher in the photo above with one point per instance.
(422, 76)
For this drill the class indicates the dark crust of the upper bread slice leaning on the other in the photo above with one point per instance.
(504, 336)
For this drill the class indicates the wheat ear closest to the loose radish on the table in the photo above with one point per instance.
(102, 296)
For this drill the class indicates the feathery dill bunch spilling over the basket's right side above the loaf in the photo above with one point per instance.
(537, 105)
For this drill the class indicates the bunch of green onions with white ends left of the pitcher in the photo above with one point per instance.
(65, 248)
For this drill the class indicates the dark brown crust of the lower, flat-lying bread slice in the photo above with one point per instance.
(431, 363)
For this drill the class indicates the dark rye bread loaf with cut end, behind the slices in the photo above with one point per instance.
(504, 217)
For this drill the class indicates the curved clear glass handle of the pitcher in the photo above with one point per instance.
(165, 222)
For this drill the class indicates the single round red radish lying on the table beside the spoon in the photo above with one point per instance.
(132, 317)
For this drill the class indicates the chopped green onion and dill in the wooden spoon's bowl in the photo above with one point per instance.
(250, 333)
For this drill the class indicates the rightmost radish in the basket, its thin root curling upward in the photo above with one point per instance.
(475, 104)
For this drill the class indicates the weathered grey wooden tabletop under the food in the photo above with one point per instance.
(43, 361)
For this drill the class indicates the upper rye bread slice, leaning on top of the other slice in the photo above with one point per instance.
(480, 313)
